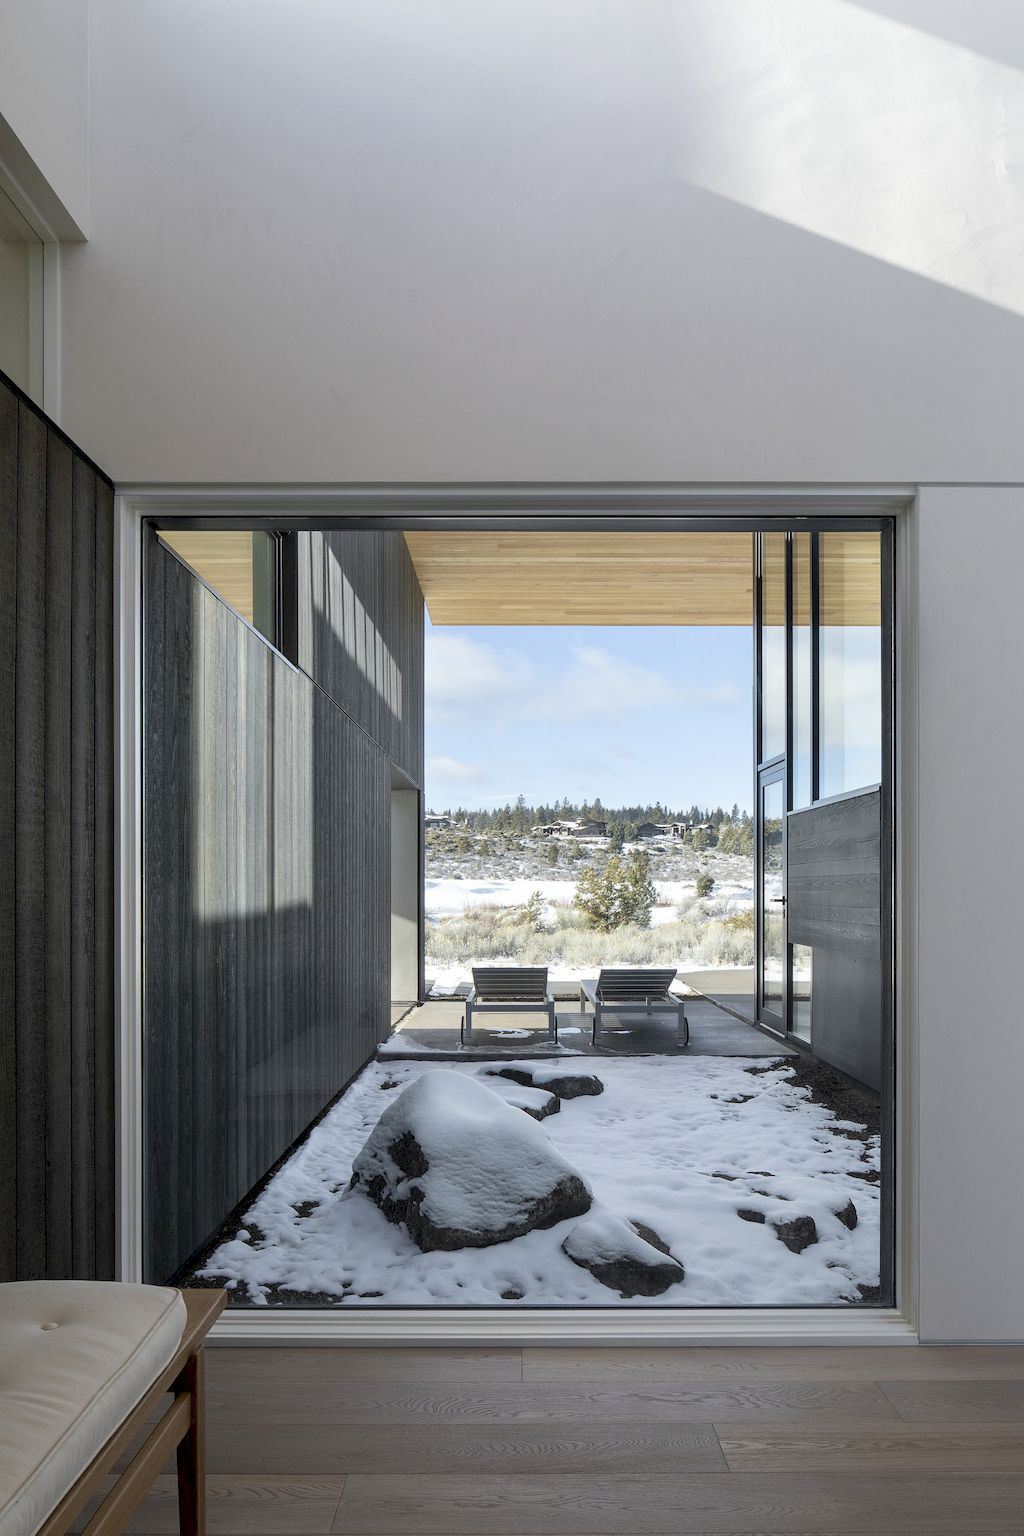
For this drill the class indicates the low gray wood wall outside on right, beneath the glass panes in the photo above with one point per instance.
(834, 905)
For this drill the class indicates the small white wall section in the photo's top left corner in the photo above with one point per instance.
(45, 107)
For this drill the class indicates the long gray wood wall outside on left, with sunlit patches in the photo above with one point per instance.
(266, 869)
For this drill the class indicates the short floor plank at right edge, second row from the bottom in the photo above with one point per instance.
(857, 1448)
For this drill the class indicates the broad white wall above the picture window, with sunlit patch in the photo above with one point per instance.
(552, 239)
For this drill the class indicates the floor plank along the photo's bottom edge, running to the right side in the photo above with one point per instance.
(681, 1506)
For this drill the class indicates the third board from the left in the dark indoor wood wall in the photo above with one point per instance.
(58, 856)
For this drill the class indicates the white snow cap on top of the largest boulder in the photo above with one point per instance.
(489, 1164)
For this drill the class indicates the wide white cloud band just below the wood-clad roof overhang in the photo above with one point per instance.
(471, 681)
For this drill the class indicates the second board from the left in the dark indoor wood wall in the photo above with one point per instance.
(30, 715)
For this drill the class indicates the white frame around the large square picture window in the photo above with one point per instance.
(382, 1326)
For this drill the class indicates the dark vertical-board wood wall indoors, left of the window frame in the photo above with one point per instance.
(56, 855)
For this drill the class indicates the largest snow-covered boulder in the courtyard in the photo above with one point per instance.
(461, 1168)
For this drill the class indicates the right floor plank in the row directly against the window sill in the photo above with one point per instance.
(811, 1363)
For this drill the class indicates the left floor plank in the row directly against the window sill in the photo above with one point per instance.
(257, 1369)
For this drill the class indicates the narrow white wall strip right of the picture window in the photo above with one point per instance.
(969, 842)
